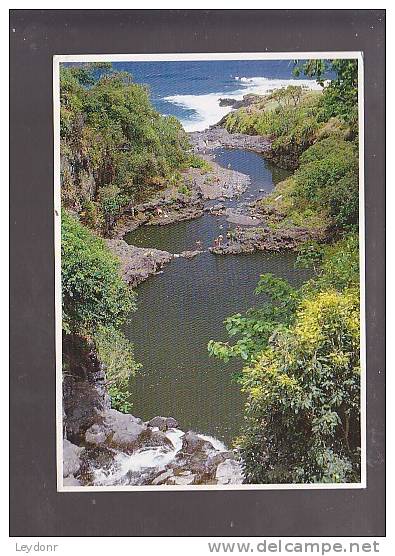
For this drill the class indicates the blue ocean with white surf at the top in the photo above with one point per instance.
(190, 90)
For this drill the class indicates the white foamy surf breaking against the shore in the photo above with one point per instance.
(206, 110)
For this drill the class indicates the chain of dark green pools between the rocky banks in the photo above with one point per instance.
(183, 308)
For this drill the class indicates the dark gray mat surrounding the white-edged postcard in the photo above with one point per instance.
(36, 508)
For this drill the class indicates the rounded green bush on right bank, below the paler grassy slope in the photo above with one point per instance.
(323, 192)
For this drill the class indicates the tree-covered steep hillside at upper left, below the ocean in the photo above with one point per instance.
(111, 133)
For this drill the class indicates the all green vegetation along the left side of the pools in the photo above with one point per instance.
(115, 150)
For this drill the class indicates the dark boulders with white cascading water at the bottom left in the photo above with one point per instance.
(105, 447)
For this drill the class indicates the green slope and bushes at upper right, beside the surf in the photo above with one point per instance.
(315, 134)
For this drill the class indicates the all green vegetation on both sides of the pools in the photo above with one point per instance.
(300, 348)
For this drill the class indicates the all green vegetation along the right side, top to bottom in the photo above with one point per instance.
(301, 347)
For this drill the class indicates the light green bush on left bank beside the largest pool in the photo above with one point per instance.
(96, 303)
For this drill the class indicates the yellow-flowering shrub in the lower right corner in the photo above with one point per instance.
(303, 408)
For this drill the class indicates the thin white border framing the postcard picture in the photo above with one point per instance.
(57, 60)
